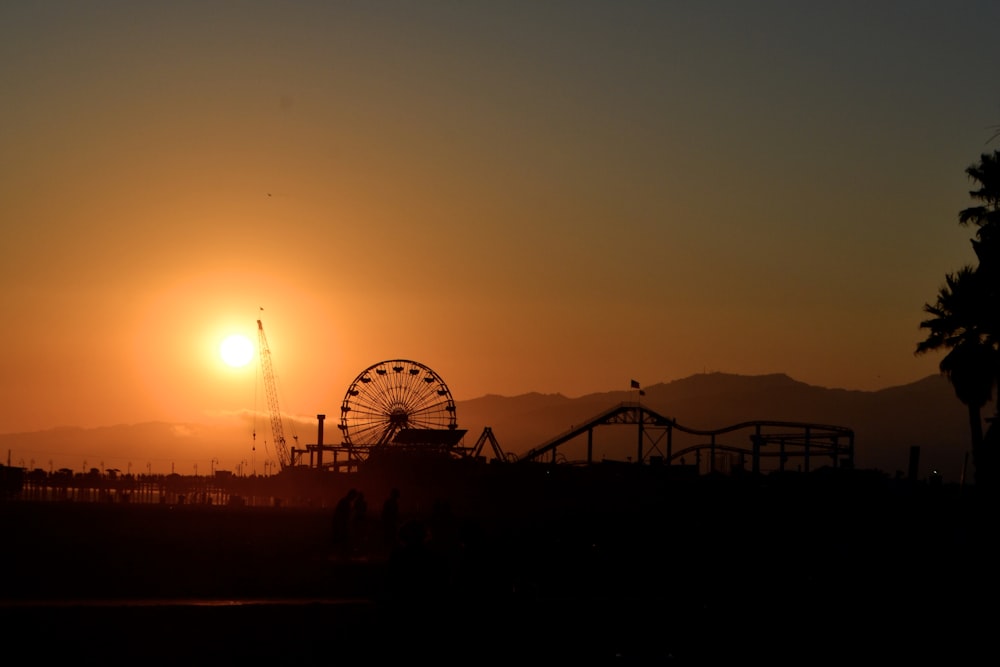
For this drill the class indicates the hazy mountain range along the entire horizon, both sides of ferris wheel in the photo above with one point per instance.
(886, 423)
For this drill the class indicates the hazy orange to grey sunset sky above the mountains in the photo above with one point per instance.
(523, 196)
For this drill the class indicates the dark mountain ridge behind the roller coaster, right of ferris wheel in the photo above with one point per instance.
(886, 423)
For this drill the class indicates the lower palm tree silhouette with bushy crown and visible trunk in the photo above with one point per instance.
(972, 361)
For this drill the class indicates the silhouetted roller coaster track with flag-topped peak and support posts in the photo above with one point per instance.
(760, 439)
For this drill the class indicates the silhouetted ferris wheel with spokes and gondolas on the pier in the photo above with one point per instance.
(391, 396)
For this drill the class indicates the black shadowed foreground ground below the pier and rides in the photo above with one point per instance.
(803, 572)
